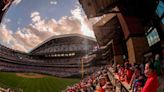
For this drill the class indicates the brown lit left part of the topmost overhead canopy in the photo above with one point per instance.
(95, 8)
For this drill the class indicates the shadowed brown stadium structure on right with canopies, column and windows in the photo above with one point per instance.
(127, 29)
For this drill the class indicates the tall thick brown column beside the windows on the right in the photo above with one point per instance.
(135, 38)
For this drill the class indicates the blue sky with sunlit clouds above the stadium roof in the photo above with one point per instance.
(28, 23)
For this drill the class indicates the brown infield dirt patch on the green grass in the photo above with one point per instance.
(30, 75)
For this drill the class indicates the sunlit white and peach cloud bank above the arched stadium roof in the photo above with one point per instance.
(40, 29)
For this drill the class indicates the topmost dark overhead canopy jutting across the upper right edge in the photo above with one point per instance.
(95, 8)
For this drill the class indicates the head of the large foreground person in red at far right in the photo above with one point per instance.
(149, 68)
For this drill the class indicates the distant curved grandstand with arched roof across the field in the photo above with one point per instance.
(59, 56)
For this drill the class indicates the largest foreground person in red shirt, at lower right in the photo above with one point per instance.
(151, 84)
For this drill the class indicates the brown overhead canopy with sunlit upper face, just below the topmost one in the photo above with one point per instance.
(105, 30)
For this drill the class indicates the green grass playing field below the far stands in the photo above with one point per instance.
(46, 84)
